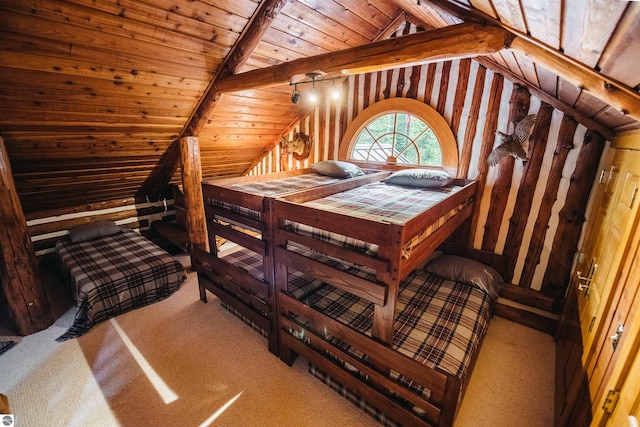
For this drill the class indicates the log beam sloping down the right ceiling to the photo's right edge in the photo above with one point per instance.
(618, 95)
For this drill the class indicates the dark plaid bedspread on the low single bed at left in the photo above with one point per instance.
(115, 274)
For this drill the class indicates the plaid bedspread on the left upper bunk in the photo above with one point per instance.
(275, 188)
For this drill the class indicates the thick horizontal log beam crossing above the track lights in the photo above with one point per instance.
(457, 41)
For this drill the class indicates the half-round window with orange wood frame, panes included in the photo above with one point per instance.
(403, 131)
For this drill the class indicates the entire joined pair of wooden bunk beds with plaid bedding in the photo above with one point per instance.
(336, 272)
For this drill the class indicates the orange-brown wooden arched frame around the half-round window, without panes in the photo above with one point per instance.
(433, 119)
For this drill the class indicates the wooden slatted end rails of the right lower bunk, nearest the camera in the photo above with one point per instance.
(374, 385)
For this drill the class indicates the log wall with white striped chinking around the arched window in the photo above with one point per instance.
(529, 215)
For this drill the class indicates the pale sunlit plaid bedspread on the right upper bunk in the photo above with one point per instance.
(379, 202)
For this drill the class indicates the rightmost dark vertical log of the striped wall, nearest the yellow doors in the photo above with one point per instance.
(565, 242)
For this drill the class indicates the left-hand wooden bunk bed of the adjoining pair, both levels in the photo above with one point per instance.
(239, 211)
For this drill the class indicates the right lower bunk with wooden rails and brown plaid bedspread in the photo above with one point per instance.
(420, 378)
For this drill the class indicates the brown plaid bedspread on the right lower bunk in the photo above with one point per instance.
(439, 323)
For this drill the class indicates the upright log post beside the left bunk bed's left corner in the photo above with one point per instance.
(192, 188)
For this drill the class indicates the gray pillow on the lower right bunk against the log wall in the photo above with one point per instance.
(474, 273)
